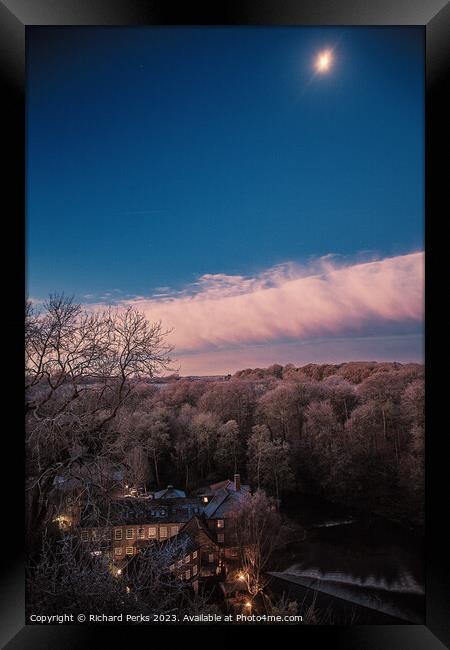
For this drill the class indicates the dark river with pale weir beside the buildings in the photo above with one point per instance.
(362, 568)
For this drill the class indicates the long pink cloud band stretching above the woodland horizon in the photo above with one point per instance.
(289, 302)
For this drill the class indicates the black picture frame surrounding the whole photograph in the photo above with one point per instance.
(15, 16)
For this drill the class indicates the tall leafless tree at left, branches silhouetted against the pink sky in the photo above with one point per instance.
(81, 367)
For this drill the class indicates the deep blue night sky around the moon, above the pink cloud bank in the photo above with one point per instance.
(155, 155)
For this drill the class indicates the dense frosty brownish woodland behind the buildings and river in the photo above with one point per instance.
(351, 433)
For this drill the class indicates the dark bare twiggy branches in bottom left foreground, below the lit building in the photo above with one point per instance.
(72, 577)
